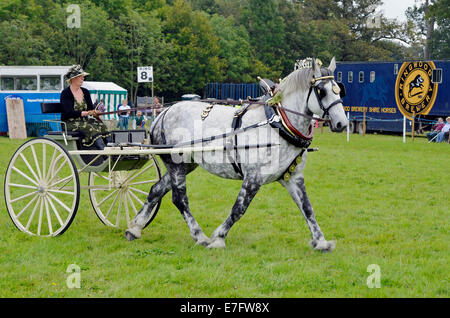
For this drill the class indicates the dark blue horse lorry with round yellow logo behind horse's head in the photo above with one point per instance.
(383, 93)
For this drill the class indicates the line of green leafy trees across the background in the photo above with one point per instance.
(192, 42)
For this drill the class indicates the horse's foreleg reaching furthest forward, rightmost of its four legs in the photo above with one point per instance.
(297, 190)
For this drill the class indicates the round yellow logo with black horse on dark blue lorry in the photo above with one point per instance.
(414, 91)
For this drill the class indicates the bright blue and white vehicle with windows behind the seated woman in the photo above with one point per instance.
(33, 85)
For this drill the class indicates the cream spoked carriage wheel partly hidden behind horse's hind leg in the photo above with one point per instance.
(116, 199)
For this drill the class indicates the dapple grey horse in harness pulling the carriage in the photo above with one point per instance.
(182, 122)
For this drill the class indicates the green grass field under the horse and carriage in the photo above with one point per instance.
(384, 202)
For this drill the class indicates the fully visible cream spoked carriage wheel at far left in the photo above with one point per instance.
(42, 188)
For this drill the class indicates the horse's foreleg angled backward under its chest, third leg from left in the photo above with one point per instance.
(249, 188)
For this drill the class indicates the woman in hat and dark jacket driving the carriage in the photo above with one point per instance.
(77, 106)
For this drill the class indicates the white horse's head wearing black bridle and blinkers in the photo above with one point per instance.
(325, 95)
